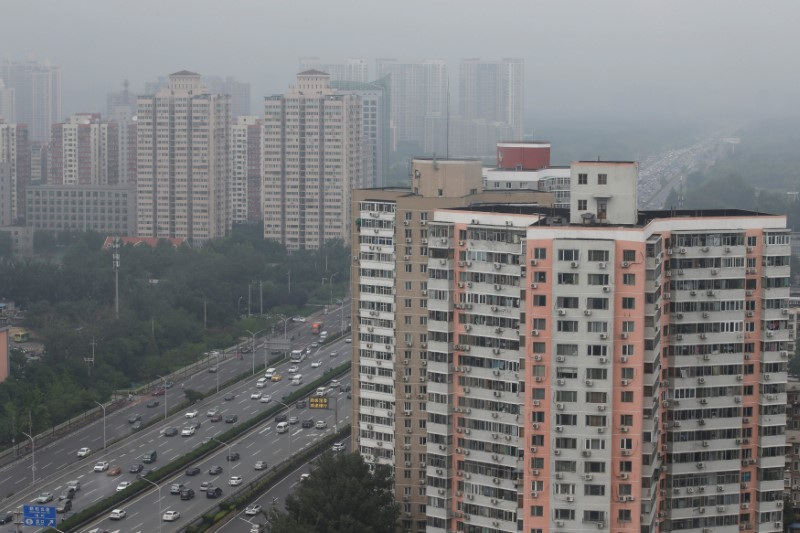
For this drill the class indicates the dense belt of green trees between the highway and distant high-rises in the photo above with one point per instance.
(175, 304)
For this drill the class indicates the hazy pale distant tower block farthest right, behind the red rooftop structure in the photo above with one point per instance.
(493, 91)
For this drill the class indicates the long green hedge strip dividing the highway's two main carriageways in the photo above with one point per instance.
(82, 518)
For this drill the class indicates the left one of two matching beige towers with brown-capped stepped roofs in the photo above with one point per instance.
(182, 161)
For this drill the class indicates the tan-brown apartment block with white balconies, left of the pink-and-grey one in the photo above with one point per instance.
(390, 278)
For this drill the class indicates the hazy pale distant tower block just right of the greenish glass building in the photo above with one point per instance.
(418, 91)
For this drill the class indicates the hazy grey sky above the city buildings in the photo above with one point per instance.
(630, 59)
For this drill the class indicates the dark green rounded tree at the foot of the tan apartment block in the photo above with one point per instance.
(342, 494)
